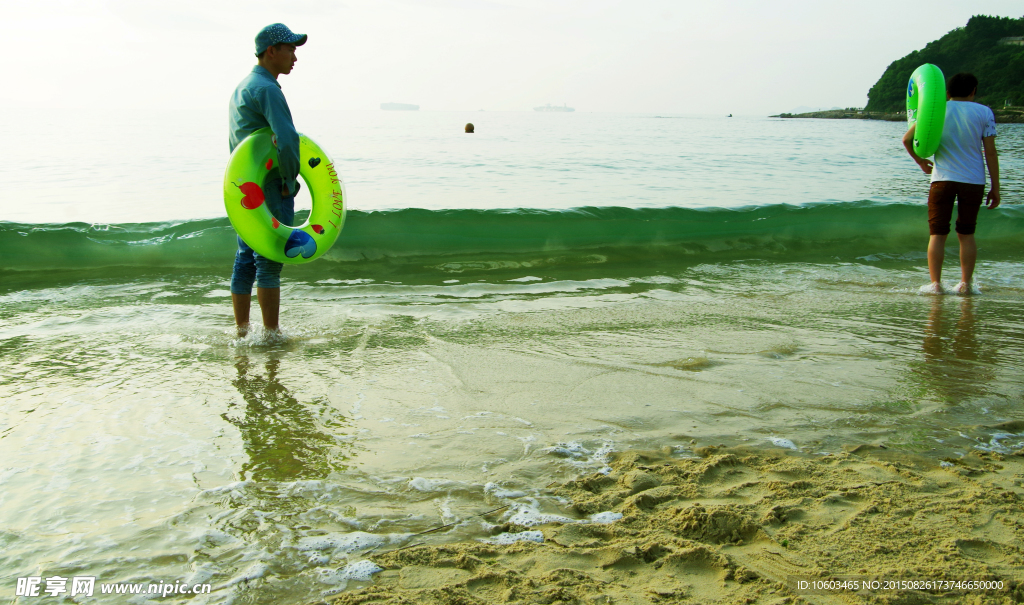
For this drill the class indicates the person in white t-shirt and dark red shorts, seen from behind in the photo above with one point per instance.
(968, 145)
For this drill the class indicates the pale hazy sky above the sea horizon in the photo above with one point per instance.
(656, 57)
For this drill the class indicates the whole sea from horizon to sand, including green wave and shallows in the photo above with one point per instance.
(504, 311)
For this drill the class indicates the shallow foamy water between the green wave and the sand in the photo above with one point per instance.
(143, 443)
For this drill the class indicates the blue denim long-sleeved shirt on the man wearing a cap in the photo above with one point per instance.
(259, 103)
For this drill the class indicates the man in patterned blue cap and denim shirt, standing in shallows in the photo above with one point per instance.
(259, 103)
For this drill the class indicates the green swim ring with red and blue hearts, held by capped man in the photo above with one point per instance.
(251, 162)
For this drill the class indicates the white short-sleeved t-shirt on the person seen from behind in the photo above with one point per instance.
(960, 157)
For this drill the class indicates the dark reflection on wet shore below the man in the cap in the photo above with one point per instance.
(285, 439)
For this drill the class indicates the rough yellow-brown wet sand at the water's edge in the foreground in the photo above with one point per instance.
(739, 526)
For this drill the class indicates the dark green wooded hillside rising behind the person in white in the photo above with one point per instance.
(974, 49)
